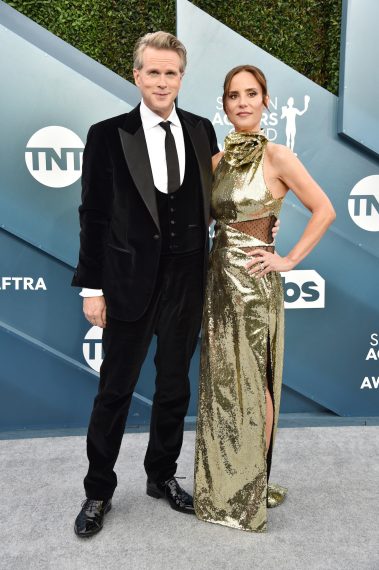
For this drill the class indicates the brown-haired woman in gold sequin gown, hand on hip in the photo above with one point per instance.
(243, 326)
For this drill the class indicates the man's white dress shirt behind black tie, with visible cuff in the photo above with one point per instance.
(155, 141)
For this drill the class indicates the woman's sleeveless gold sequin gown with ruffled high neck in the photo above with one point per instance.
(242, 346)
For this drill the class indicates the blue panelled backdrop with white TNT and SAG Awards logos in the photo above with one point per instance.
(50, 95)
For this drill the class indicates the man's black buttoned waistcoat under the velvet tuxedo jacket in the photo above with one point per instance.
(181, 215)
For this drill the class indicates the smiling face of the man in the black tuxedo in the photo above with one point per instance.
(159, 79)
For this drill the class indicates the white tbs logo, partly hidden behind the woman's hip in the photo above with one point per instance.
(303, 289)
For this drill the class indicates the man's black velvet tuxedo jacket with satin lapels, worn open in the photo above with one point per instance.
(120, 237)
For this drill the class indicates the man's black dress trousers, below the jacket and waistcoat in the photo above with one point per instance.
(174, 315)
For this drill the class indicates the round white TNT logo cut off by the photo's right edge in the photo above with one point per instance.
(364, 203)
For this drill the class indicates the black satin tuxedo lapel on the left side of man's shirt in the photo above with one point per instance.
(137, 158)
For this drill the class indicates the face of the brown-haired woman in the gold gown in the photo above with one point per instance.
(244, 103)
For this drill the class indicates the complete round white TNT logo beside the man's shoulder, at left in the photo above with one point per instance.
(54, 156)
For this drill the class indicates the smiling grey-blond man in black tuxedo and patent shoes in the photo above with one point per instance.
(143, 248)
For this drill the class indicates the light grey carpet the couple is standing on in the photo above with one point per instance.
(329, 520)
